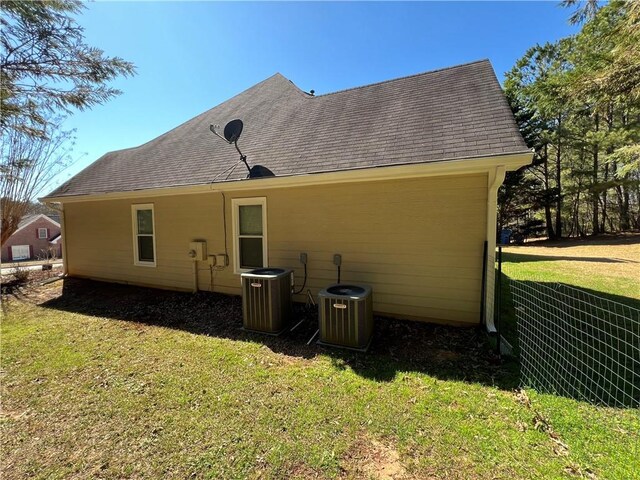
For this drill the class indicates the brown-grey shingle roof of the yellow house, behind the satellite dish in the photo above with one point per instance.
(446, 114)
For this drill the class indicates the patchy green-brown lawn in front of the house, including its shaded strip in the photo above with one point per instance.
(116, 382)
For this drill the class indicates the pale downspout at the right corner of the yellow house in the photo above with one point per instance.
(496, 177)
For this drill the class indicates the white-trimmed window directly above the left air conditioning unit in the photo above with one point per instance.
(250, 233)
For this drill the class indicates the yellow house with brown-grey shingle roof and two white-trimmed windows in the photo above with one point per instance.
(398, 177)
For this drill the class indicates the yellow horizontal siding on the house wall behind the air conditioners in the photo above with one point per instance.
(417, 242)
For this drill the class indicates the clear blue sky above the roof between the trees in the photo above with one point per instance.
(191, 56)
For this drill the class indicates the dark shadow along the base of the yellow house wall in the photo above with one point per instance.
(446, 353)
